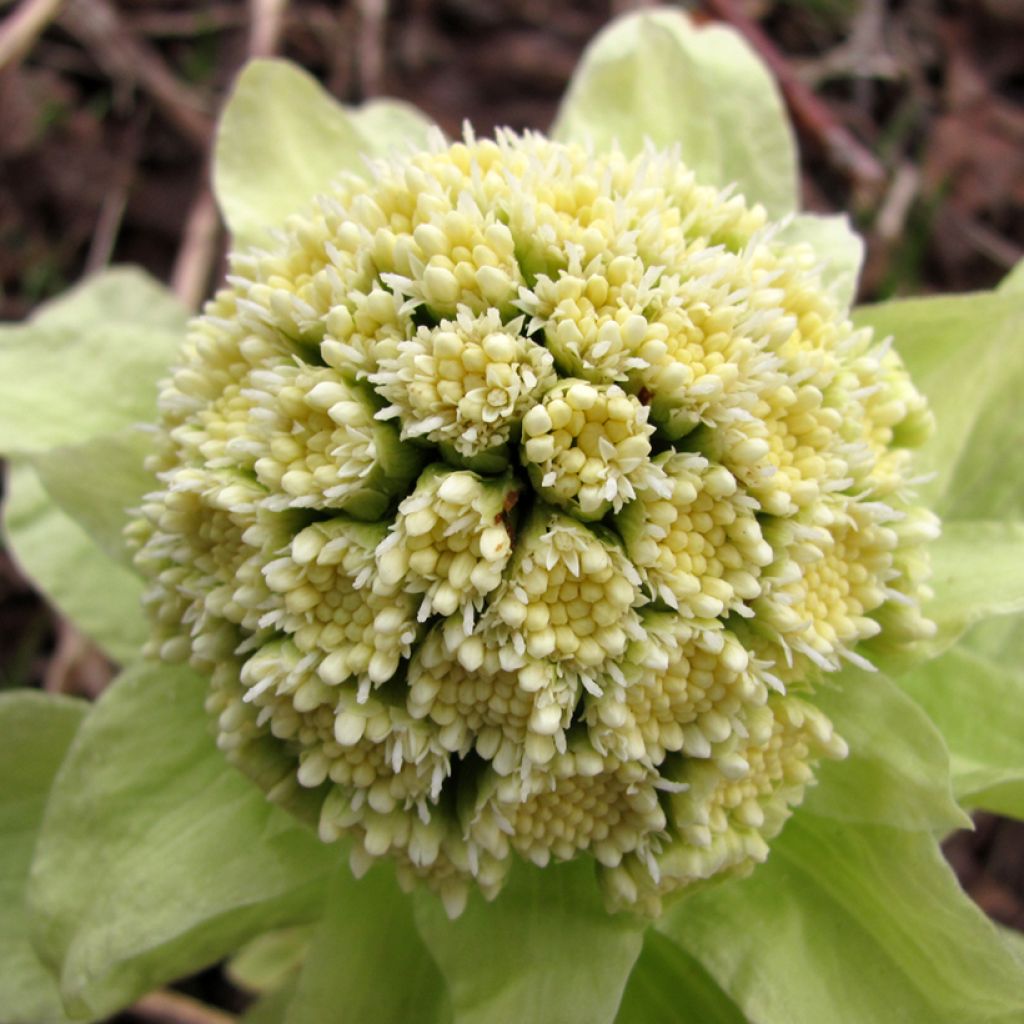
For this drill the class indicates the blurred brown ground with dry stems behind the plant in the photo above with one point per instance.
(910, 114)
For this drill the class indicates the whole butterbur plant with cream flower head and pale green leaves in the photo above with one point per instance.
(521, 500)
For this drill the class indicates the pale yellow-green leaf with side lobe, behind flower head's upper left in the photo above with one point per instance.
(283, 140)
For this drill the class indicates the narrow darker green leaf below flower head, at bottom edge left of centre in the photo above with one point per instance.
(386, 975)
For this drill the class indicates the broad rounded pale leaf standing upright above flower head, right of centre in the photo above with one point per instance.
(655, 75)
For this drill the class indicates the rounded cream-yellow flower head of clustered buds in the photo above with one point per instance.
(509, 496)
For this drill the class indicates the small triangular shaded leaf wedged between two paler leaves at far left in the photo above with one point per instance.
(98, 482)
